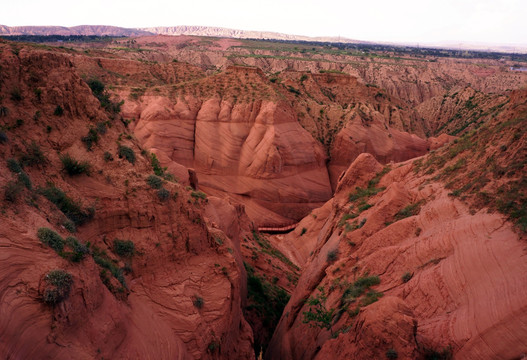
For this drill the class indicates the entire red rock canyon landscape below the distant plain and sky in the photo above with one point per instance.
(217, 198)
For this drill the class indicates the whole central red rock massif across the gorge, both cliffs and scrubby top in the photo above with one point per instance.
(250, 145)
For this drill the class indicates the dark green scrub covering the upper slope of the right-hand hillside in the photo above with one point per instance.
(504, 165)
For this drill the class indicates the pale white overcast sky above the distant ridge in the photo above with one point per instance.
(410, 21)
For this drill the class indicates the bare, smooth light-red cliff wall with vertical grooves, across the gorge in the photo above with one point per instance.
(253, 150)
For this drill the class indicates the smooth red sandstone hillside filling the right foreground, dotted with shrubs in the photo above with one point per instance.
(401, 266)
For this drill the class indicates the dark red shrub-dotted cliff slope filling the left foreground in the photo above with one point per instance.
(178, 294)
